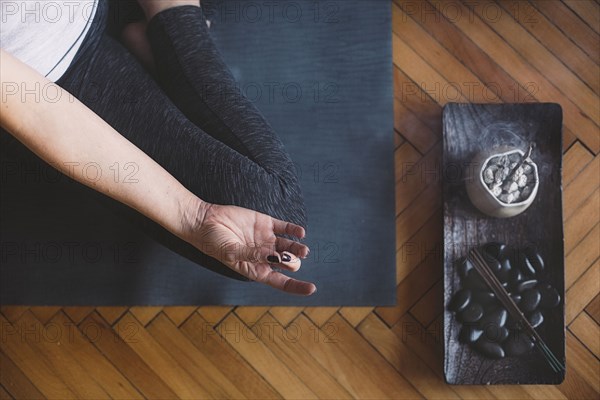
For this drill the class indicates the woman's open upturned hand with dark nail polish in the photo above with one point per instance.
(247, 242)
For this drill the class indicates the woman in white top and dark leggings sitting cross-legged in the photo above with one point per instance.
(204, 157)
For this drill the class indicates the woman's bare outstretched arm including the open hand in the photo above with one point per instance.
(73, 139)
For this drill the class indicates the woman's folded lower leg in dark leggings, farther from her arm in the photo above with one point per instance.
(192, 72)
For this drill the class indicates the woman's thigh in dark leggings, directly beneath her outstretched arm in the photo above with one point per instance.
(112, 83)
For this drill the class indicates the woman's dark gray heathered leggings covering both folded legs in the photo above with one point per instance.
(190, 118)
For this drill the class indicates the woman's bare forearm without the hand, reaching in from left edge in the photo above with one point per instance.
(72, 138)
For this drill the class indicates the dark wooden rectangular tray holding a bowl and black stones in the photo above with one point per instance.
(468, 129)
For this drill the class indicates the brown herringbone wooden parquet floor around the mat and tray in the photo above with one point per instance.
(546, 51)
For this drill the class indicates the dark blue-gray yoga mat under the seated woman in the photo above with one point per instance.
(322, 74)
